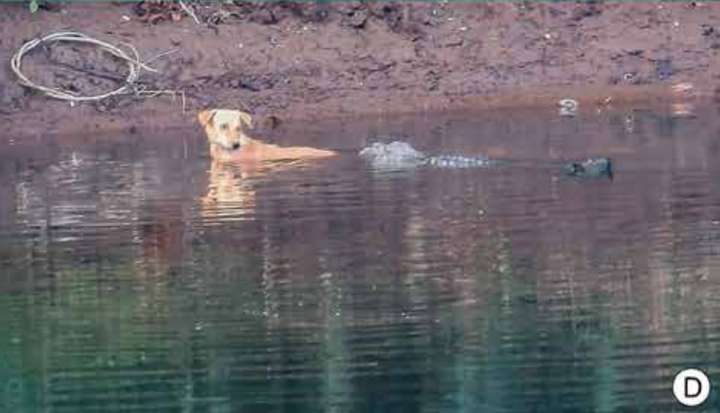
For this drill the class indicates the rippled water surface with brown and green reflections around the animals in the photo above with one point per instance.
(139, 277)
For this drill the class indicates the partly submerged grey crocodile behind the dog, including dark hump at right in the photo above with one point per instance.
(401, 155)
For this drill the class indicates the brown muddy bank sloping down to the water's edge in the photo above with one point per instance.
(318, 60)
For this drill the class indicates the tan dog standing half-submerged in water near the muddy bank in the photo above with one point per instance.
(228, 141)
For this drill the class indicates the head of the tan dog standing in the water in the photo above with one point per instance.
(224, 127)
